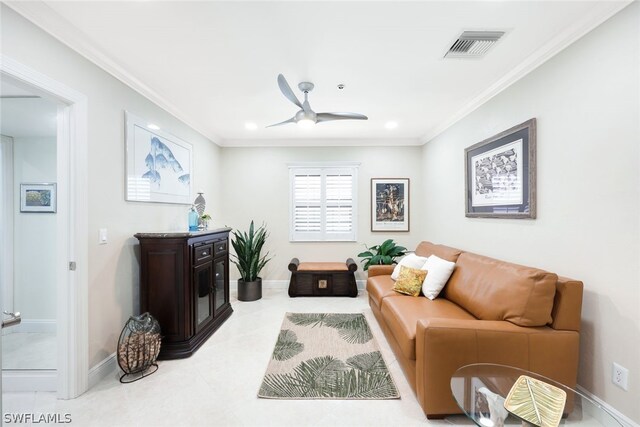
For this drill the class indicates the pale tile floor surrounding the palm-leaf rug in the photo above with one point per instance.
(217, 386)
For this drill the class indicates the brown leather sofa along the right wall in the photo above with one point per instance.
(490, 311)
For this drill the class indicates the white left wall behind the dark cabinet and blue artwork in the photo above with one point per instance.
(113, 268)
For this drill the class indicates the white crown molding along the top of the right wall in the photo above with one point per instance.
(567, 37)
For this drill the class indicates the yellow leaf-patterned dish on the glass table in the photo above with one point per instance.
(536, 402)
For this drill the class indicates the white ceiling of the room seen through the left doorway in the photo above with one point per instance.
(22, 117)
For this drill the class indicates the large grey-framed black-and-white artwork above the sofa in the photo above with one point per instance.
(500, 174)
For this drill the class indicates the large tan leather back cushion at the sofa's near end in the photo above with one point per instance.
(496, 290)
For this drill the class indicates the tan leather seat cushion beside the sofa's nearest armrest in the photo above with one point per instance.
(401, 315)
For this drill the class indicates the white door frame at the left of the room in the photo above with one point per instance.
(72, 222)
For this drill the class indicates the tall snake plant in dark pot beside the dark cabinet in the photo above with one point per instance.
(248, 259)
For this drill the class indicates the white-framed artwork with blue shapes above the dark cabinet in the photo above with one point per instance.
(159, 164)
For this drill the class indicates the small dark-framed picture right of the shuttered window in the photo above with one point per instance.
(389, 204)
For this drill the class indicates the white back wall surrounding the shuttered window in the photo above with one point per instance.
(257, 187)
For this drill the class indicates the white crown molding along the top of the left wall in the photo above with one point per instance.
(43, 16)
